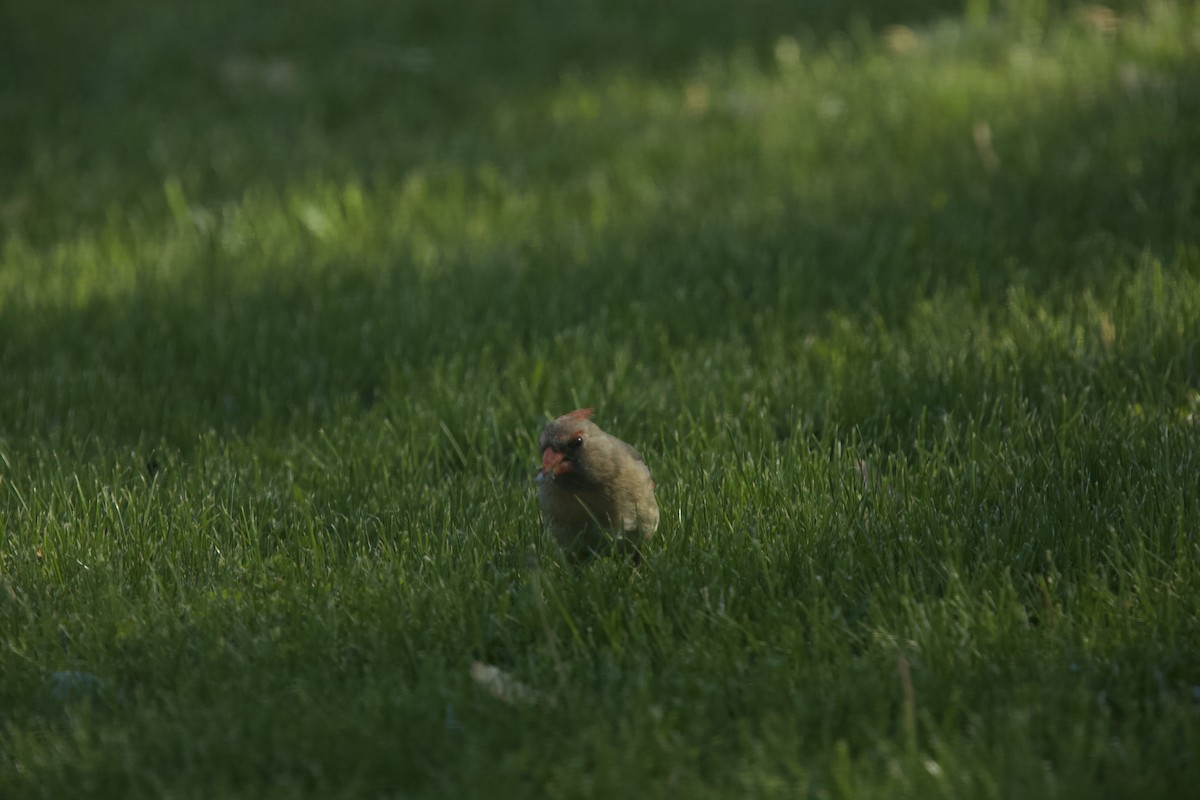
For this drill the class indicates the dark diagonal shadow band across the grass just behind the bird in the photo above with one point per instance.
(169, 363)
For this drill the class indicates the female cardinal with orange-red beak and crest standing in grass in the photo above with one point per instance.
(595, 490)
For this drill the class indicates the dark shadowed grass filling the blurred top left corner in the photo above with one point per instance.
(103, 105)
